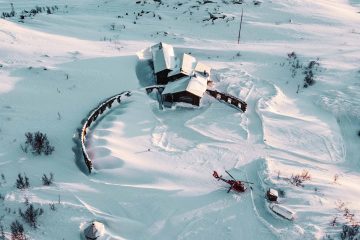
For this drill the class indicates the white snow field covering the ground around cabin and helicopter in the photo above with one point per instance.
(153, 168)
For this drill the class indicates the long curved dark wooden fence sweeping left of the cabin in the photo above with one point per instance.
(99, 110)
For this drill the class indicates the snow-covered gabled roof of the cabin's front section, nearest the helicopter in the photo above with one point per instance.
(194, 84)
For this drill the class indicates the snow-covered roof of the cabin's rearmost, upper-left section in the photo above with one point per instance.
(163, 57)
